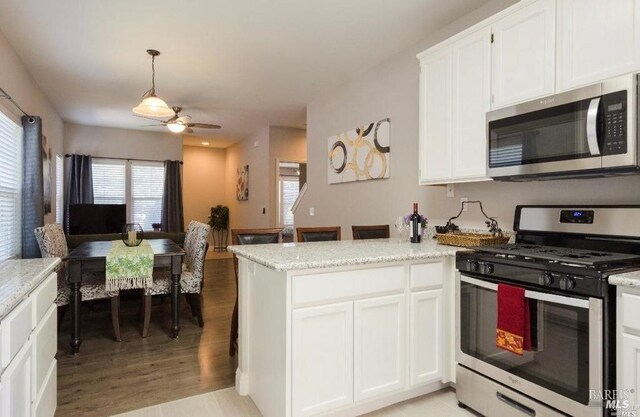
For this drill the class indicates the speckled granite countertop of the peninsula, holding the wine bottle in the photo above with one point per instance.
(298, 256)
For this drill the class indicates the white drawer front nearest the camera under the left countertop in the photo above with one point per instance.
(16, 327)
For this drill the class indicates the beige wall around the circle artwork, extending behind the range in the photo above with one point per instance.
(391, 90)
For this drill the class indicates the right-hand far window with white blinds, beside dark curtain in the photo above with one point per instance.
(147, 186)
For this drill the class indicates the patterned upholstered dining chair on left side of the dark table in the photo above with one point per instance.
(53, 244)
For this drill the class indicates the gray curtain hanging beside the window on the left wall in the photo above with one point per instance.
(32, 185)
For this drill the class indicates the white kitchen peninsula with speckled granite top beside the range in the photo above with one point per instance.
(343, 327)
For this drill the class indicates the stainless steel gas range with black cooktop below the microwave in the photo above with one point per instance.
(562, 258)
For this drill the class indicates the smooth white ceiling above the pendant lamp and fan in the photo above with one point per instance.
(242, 64)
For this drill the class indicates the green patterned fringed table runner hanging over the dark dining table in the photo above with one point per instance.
(129, 267)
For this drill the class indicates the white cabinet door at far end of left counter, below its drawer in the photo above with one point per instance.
(44, 348)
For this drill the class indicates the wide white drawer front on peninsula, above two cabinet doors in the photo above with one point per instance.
(347, 284)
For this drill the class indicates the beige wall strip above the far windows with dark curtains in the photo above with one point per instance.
(108, 142)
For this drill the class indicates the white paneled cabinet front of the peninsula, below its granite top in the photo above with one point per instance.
(370, 342)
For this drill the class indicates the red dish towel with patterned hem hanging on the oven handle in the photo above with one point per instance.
(514, 323)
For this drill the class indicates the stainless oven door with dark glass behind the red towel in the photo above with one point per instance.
(566, 358)
